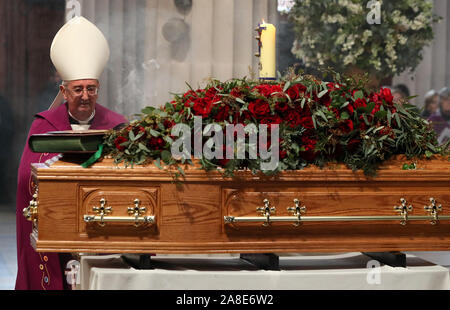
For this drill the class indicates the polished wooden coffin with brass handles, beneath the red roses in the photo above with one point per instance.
(110, 209)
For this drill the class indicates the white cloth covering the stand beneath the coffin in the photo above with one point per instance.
(298, 272)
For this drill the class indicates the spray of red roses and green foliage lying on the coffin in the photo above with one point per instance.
(319, 122)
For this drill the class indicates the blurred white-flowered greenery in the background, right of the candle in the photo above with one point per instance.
(340, 34)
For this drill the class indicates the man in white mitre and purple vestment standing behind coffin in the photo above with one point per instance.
(79, 53)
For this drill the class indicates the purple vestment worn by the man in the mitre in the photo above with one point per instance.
(37, 271)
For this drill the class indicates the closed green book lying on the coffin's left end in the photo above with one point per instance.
(68, 141)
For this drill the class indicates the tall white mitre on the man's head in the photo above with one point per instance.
(79, 51)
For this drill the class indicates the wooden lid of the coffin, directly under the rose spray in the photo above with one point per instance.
(436, 168)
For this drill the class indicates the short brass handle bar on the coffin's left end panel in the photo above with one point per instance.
(102, 216)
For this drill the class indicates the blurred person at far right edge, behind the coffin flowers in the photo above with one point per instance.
(441, 120)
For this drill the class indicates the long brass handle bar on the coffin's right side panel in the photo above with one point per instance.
(404, 215)
